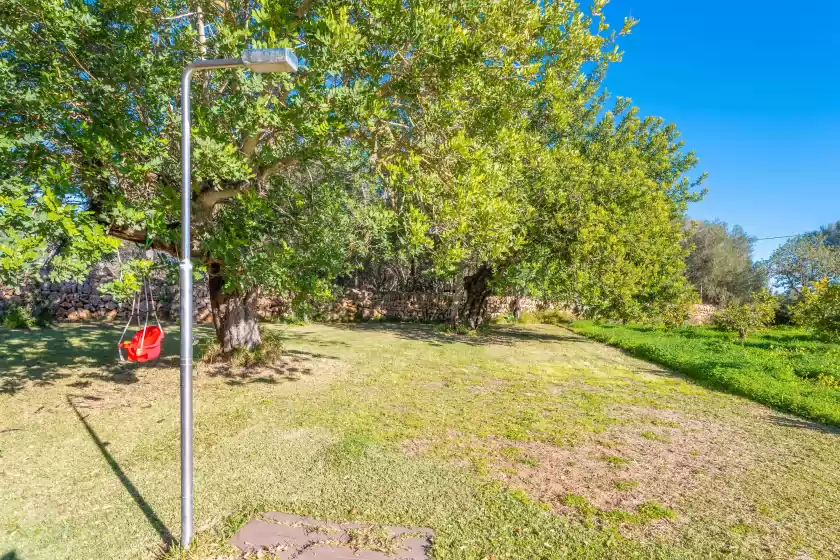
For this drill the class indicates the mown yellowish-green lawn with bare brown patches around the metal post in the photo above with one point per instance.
(528, 442)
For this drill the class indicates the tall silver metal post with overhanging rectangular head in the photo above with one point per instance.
(256, 60)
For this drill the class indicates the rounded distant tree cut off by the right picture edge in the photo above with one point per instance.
(805, 259)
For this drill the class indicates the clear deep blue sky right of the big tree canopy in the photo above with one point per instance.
(754, 87)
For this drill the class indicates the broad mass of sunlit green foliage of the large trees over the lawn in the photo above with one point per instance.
(470, 135)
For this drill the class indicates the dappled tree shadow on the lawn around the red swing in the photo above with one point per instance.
(41, 357)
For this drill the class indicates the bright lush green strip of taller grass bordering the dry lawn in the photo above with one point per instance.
(783, 367)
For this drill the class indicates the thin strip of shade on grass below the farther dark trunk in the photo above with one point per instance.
(431, 333)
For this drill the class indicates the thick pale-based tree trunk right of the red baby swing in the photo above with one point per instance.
(234, 315)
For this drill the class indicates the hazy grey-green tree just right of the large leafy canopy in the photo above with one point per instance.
(720, 264)
